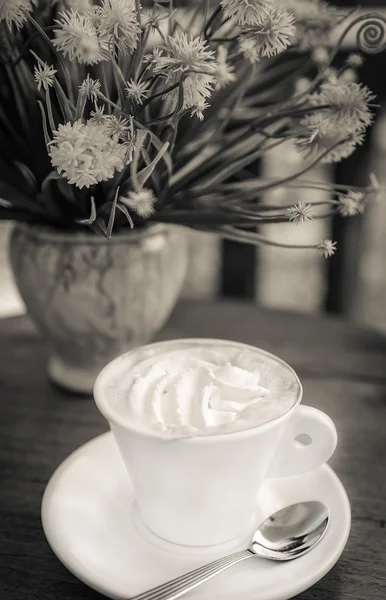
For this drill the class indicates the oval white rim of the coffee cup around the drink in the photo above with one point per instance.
(114, 418)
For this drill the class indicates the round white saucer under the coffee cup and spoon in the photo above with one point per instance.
(88, 518)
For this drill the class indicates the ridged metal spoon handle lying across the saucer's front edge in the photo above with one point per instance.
(185, 583)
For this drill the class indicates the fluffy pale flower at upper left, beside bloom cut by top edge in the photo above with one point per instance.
(77, 38)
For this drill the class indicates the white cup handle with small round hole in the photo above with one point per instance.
(293, 457)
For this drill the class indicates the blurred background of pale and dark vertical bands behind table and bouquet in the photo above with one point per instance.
(352, 283)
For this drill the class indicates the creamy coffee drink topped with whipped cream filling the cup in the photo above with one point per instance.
(199, 387)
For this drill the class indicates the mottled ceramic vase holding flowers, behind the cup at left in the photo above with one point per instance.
(94, 298)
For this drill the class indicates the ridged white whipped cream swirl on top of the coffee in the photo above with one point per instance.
(183, 392)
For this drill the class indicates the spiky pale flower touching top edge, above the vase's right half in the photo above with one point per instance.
(118, 23)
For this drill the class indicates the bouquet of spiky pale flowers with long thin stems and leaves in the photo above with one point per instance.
(115, 115)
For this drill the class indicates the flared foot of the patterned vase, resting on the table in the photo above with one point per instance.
(70, 378)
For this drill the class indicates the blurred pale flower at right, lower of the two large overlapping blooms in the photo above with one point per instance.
(318, 135)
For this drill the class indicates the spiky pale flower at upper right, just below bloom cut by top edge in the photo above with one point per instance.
(272, 36)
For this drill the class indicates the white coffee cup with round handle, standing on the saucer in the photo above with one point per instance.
(201, 491)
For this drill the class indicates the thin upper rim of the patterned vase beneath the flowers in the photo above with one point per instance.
(47, 233)
